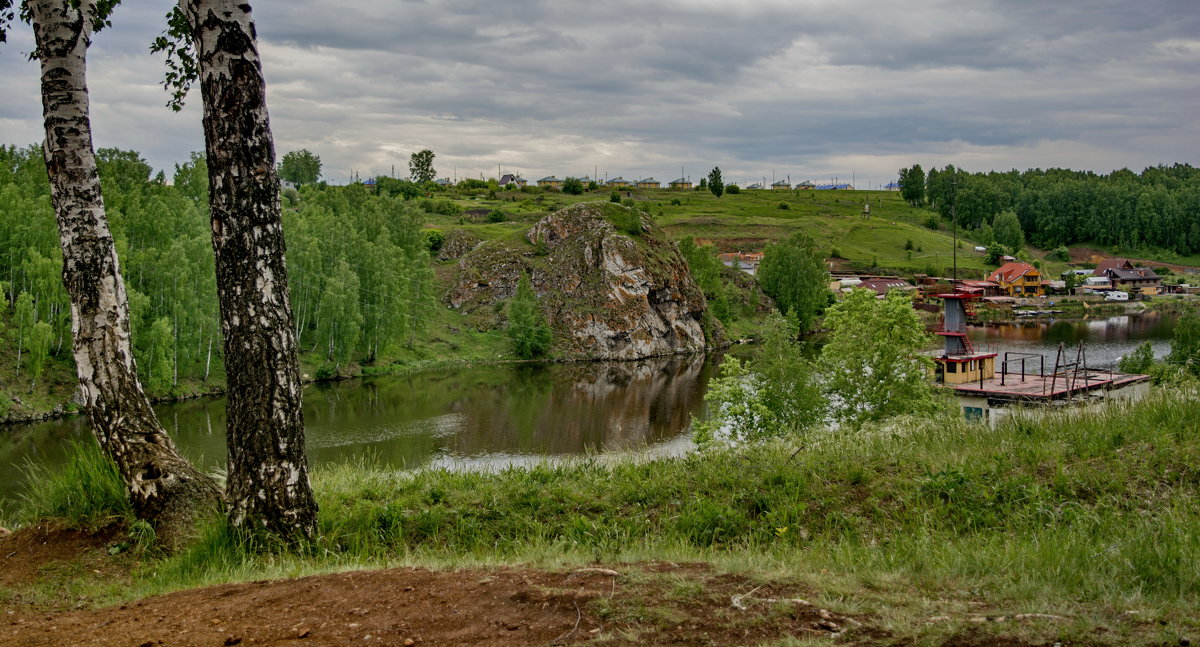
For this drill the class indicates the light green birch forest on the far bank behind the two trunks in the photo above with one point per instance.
(361, 275)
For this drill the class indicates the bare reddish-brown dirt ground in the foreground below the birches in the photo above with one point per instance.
(639, 604)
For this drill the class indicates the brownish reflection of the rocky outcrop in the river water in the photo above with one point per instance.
(589, 408)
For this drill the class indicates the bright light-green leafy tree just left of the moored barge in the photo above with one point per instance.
(872, 364)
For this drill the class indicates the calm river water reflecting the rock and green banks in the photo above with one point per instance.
(489, 417)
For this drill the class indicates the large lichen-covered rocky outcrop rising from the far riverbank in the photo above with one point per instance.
(610, 283)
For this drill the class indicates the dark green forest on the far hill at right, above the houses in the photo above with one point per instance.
(1156, 209)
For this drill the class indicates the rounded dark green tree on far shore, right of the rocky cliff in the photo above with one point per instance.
(794, 274)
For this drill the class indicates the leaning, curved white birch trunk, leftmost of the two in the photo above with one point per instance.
(164, 488)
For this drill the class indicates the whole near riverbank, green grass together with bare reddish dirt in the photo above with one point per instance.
(1079, 528)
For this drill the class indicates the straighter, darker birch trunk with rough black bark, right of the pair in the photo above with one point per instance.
(268, 477)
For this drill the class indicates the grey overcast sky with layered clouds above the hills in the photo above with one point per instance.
(807, 89)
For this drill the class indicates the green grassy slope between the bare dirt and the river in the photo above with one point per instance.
(1088, 519)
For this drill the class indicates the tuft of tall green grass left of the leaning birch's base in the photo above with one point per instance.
(86, 493)
